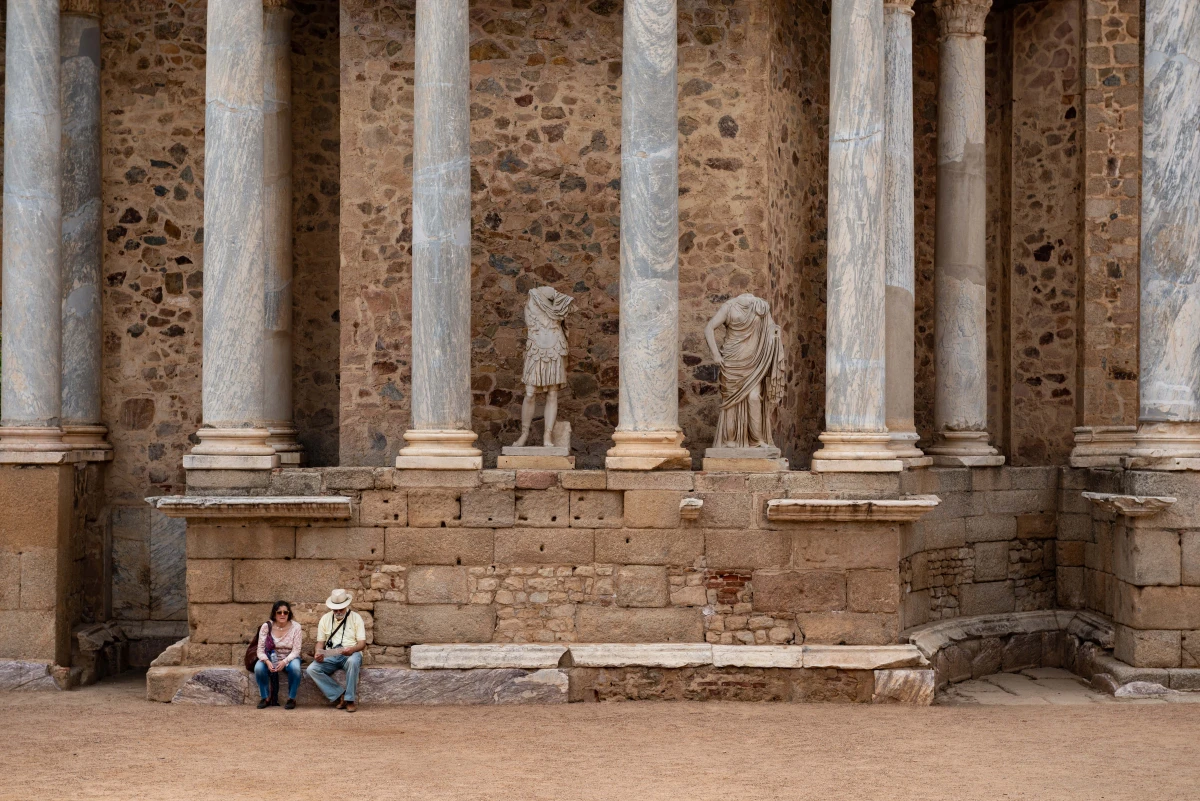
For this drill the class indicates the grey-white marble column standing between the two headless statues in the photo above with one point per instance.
(649, 435)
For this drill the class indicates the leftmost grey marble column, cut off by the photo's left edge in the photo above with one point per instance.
(32, 402)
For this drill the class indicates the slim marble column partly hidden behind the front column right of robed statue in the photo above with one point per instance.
(899, 233)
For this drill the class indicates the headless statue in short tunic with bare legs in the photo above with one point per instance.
(545, 369)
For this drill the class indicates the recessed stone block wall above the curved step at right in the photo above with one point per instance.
(988, 549)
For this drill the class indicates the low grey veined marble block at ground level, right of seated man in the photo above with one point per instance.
(389, 686)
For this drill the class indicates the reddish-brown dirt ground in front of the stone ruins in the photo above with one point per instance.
(109, 743)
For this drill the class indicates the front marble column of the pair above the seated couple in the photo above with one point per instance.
(233, 435)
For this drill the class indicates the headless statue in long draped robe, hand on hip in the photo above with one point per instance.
(753, 371)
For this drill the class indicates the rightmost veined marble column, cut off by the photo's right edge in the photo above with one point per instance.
(1169, 420)
